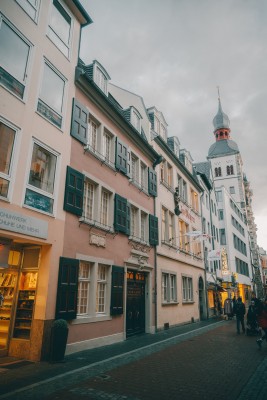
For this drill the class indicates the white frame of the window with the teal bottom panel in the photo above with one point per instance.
(36, 190)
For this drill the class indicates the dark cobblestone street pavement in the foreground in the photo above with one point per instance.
(205, 364)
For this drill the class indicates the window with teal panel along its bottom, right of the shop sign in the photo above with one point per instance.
(41, 181)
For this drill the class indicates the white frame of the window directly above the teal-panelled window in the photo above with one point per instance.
(47, 109)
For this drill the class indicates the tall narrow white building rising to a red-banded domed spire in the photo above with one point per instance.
(226, 165)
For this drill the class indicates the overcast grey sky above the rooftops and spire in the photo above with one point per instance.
(174, 53)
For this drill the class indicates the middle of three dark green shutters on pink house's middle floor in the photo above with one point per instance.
(121, 215)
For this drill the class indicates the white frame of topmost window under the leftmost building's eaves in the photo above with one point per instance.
(58, 41)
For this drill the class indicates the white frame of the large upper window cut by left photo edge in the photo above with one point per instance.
(22, 82)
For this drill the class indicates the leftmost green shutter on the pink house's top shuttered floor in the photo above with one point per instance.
(79, 122)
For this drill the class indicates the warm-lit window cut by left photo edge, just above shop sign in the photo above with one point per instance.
(7, 140)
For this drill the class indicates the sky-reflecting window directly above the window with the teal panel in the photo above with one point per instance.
(50, 102)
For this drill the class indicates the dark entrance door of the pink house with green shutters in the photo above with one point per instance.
(135, 310)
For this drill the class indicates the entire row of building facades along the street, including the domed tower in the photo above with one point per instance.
(105, 220)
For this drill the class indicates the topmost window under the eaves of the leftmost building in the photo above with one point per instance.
(60, 28)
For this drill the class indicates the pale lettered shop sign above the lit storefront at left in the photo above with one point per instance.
(20, 223)
